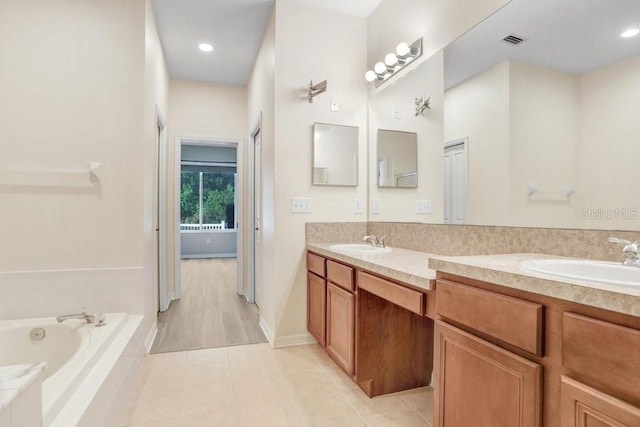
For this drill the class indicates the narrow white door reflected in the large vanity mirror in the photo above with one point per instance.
(455, 182)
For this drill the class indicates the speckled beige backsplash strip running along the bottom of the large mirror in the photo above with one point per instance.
(475, 239)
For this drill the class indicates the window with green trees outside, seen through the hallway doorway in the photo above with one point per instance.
(207, 200)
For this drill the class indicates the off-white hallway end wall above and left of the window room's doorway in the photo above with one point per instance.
(199, 109)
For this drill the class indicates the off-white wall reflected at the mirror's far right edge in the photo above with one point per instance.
(609, 147)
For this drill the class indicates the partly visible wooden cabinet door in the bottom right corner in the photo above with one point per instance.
(583, 406)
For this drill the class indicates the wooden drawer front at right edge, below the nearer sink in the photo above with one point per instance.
(603, 352)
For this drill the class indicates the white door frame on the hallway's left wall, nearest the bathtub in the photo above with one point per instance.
(164, 298)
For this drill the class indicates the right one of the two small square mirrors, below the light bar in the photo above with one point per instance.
(397, 159)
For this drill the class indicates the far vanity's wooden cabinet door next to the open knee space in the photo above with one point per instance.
(341, 308)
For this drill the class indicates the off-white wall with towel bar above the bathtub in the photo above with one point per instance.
(72, 91)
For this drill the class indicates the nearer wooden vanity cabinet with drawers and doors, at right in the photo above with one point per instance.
(506, 357)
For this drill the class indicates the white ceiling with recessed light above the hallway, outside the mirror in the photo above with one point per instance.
(234, 28)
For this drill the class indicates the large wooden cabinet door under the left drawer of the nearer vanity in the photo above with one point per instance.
(482, 385)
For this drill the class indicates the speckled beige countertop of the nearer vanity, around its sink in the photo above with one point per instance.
(505, 270)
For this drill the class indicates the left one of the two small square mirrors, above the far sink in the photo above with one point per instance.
(335, 155)
